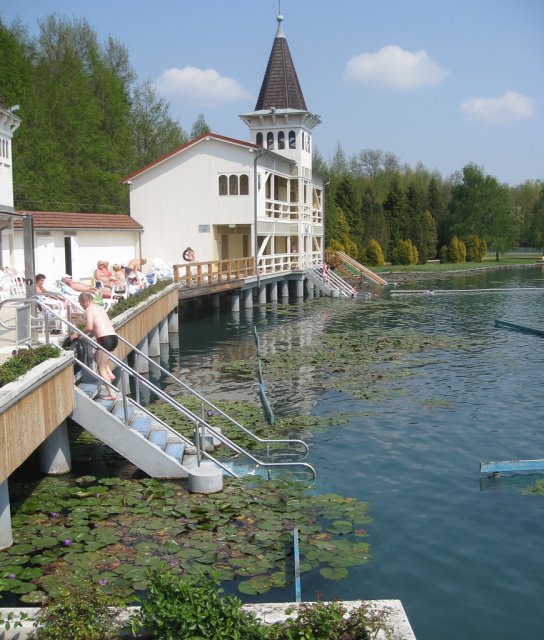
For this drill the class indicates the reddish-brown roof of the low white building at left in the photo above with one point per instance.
(63, 220)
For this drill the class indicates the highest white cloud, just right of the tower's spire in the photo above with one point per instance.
(394, 68)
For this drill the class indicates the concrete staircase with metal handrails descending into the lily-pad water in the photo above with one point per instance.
(156, 447)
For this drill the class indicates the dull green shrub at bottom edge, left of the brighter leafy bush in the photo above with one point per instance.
(79, 613)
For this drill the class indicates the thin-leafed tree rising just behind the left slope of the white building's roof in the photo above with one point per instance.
(155, 133)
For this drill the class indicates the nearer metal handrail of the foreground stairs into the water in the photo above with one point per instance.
(187, 413)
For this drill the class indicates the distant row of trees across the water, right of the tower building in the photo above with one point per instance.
(371, 197)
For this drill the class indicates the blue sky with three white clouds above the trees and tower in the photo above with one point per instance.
(444, 82)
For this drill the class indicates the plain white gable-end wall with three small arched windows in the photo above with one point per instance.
(178, 202)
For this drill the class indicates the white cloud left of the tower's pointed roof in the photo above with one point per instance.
(200, 86)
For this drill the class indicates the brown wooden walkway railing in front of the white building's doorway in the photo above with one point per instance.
(204, 274)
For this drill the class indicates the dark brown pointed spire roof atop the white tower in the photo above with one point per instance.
(280, 88)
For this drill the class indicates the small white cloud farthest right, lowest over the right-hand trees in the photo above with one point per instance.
(510, 107)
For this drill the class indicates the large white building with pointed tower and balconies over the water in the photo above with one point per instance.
(229, 198)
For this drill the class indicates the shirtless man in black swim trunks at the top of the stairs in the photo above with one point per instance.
(97, 323)
